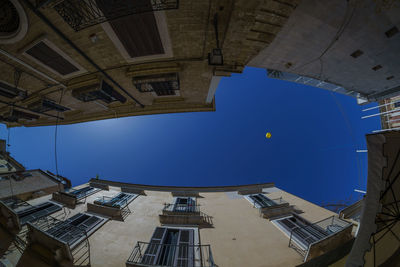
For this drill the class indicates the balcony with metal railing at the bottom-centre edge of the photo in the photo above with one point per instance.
(153, 254)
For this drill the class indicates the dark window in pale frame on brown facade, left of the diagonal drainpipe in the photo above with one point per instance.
(54, 59)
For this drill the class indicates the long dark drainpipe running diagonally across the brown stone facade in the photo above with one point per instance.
(77, 49)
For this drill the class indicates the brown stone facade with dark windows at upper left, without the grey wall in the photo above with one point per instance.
(61, 65)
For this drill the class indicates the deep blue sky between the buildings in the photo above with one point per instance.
(311, 153)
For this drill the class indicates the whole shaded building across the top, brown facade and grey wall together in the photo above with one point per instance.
(64, 62)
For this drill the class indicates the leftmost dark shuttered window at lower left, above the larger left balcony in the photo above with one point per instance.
(35, 212)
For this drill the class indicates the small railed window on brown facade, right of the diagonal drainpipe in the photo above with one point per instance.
(160, 85)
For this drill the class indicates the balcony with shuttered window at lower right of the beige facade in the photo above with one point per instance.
(318, 238)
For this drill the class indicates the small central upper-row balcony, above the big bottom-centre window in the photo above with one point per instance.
(184, 214)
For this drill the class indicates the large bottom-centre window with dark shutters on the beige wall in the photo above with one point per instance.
(170, 247)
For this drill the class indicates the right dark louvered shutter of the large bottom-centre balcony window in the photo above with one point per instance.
(185, 255)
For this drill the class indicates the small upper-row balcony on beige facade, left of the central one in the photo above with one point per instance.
(114, 207)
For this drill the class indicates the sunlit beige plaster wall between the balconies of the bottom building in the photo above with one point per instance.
(239, 236)
